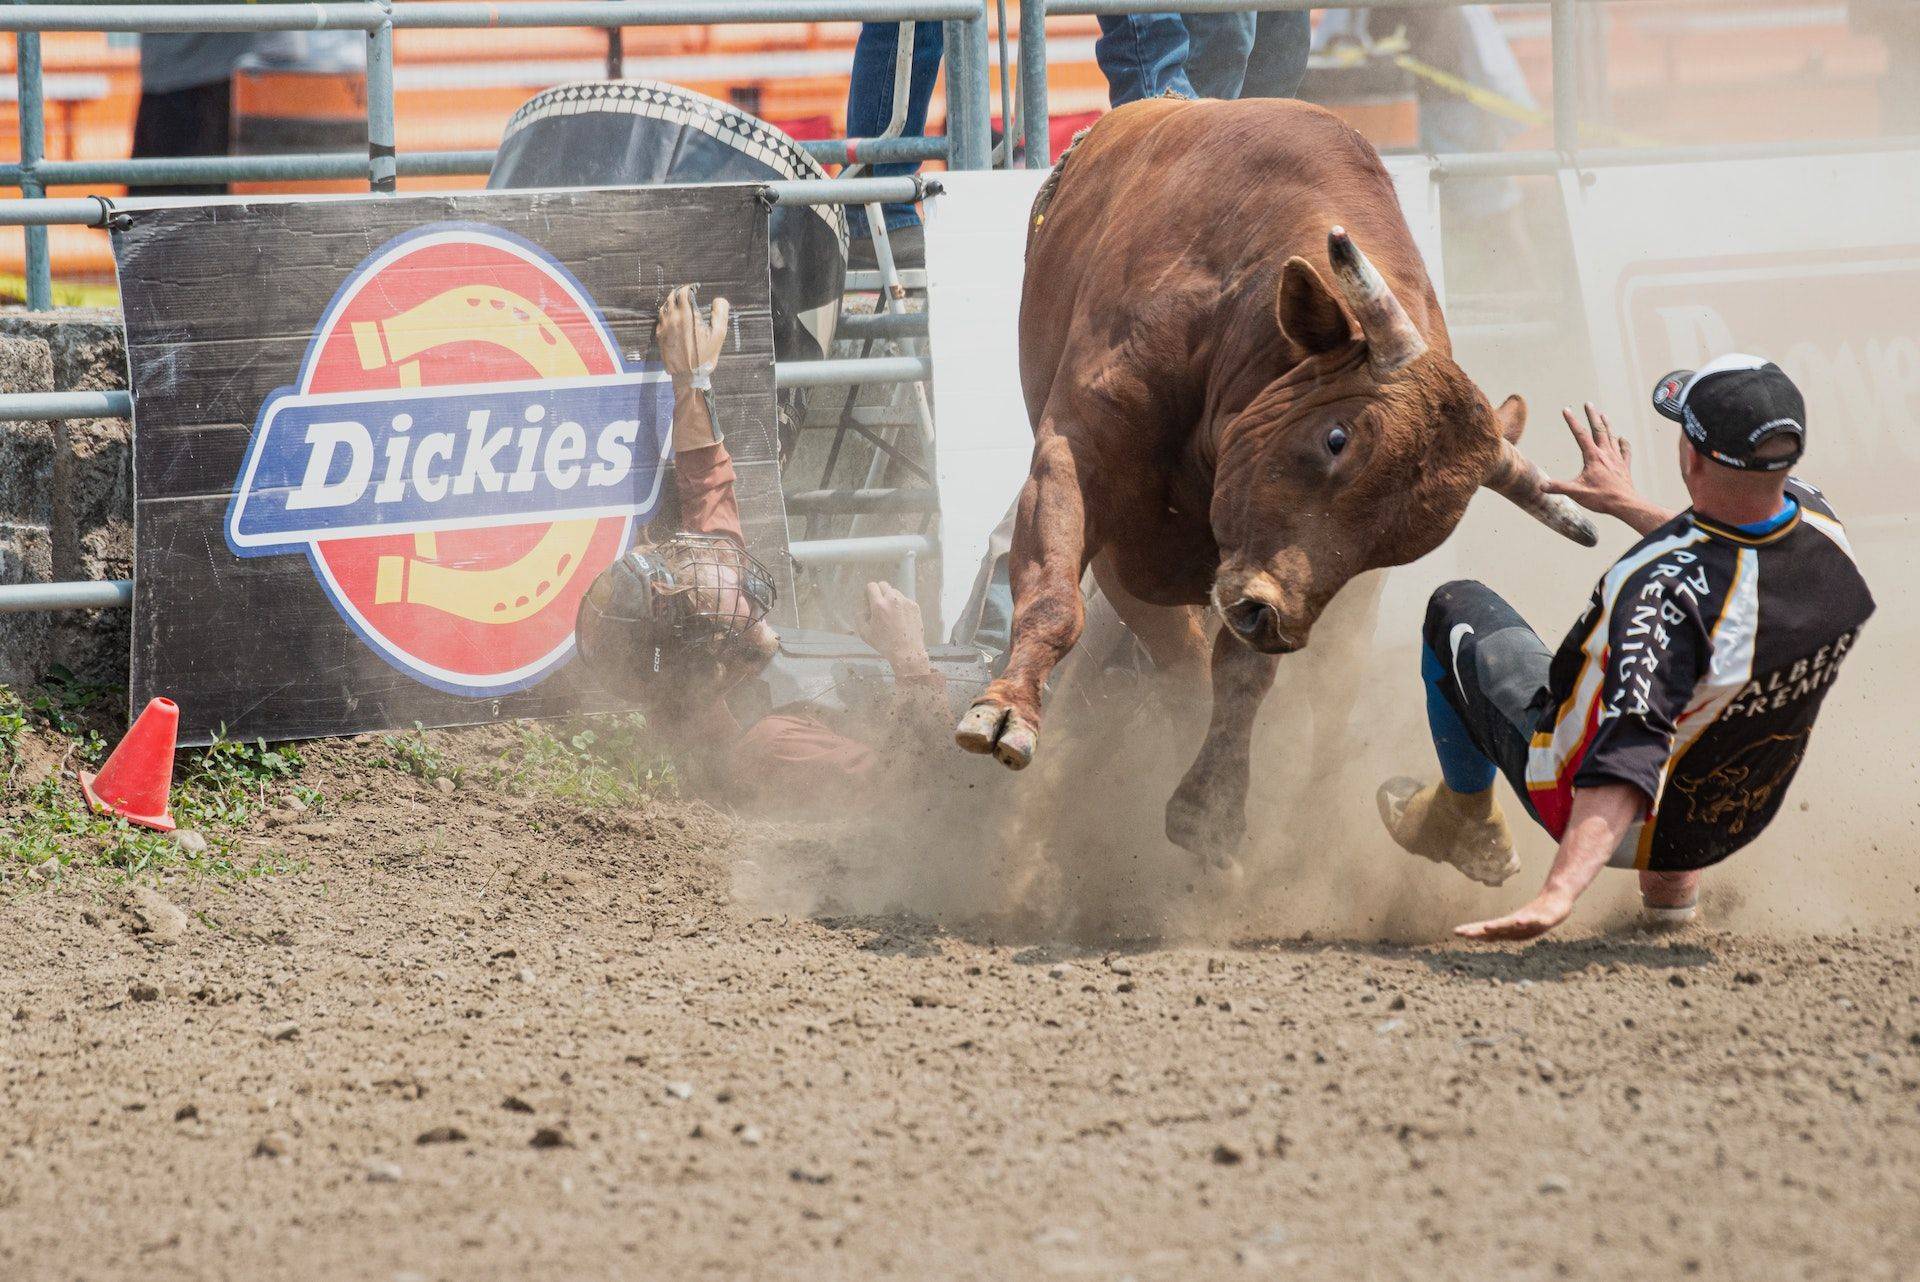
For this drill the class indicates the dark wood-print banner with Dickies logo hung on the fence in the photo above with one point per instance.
(383, 446)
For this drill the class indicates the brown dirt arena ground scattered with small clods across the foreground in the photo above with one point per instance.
(510, 1037)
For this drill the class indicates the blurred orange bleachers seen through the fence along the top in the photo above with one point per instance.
(1762, 72)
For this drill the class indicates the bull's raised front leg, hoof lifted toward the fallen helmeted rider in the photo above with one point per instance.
(1047, 559)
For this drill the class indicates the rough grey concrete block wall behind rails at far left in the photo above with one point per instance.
(66, 494)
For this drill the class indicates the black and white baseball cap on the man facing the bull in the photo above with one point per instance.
(1740, 412)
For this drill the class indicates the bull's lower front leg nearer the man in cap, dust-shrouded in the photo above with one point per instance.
(1209, 811)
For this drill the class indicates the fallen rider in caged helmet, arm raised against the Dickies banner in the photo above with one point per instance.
(681, 627)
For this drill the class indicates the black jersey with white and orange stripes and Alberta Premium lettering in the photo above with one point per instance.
(1696, 677)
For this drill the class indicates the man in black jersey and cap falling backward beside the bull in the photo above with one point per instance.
(1668, 728)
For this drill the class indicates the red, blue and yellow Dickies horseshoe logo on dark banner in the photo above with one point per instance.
(464, 454)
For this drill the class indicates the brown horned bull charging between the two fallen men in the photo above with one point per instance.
(1232, 404)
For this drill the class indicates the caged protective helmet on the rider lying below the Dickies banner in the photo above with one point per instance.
(690, 598)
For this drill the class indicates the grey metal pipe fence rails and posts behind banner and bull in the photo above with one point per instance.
(969, 143)
